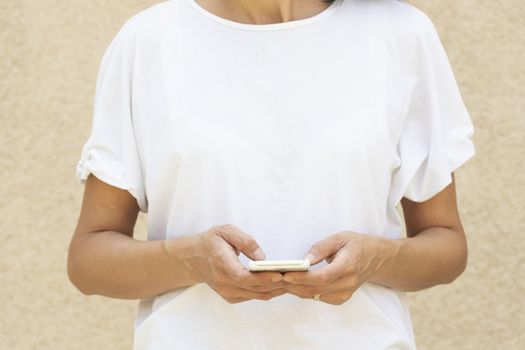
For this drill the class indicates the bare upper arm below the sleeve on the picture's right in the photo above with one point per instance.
(440, 210)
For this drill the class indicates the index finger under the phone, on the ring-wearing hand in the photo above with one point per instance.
(322, 276)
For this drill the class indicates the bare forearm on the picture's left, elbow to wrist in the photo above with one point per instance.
(112, 264)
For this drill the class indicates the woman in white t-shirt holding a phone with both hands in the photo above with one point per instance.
(280, 130)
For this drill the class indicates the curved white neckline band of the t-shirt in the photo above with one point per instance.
(332, 8)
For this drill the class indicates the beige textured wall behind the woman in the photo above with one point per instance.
(49, 56)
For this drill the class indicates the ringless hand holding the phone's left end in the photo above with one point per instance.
(216, 262)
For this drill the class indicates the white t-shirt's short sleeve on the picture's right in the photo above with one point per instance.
(436, 135)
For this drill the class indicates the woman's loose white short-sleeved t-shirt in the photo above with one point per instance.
(291, 131)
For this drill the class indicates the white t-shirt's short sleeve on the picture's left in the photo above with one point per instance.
(111, 152)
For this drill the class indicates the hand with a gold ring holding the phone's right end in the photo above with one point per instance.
(352, 259)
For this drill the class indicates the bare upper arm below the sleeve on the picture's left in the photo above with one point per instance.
(106, 208)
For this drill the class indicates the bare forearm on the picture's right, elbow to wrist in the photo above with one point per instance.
(436, 255)
